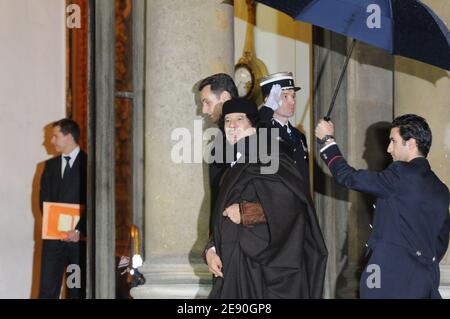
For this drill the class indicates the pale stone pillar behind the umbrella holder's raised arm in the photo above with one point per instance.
(369, 111)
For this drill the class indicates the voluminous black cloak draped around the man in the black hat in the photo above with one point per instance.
(284, 258)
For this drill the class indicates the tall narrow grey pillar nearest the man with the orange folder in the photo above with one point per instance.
(101, 189)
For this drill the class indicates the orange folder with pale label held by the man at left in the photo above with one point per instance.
(59, 218)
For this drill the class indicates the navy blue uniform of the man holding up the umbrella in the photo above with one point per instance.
(410, 228)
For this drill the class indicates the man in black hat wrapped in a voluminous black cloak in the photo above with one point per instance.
(276, 251)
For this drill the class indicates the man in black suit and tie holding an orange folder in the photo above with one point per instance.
(64, 182)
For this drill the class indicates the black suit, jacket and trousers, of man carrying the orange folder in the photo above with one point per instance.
(56, 255)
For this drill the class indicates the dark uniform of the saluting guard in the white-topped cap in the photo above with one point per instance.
(296, 149)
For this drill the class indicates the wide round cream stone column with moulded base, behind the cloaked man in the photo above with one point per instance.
(186, 41)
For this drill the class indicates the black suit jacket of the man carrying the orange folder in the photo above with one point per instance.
(71, 190)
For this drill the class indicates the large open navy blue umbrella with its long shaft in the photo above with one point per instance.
(406, 28)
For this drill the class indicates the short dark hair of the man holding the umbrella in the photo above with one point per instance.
(416, 127)
